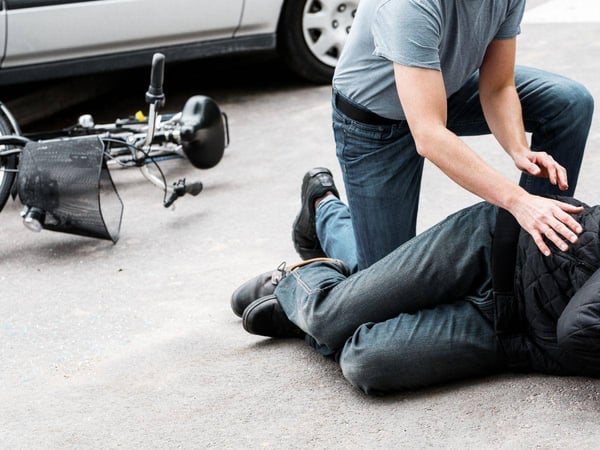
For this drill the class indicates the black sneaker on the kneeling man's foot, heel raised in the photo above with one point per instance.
(316, 183)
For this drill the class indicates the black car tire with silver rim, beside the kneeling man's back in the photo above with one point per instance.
(311, 35)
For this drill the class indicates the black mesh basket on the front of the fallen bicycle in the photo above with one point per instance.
(69, 182)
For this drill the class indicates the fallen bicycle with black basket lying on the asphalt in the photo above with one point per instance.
(63, 180)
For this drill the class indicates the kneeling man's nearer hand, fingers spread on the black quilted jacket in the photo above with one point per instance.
(542, 217)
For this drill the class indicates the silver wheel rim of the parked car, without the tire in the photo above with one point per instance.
(325, 25)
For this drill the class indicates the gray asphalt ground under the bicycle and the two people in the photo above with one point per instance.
(134, 345)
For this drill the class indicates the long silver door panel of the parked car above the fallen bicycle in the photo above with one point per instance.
(42, 31)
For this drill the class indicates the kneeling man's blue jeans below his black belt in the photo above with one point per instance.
(382, 169)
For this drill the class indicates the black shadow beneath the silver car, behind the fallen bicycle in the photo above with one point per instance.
(119, 94)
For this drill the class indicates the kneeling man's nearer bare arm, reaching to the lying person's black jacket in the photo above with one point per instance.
(423, 99)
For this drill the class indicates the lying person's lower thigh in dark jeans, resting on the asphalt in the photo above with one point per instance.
(446, 343)
